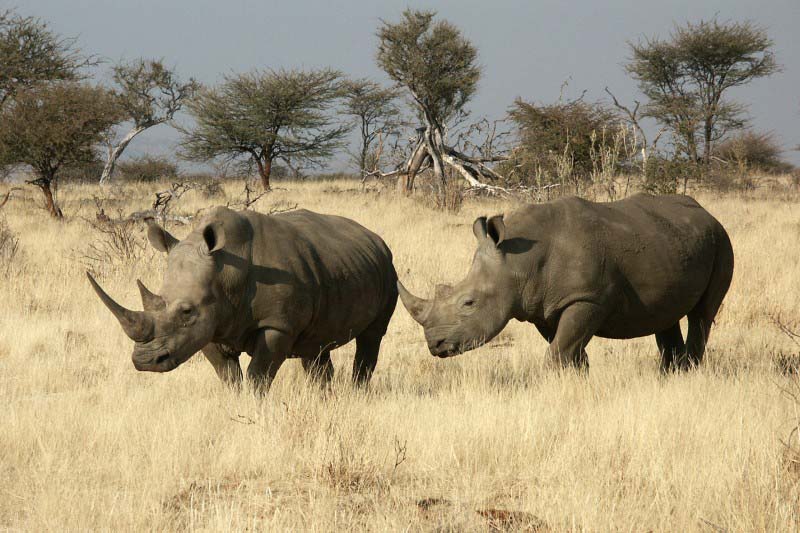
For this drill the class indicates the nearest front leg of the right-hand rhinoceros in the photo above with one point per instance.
(576, 327)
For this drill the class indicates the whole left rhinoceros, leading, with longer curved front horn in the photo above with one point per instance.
(295, 284)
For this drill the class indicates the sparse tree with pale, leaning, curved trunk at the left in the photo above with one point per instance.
(149, 94)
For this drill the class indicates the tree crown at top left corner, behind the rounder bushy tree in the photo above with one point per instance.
(30, 53)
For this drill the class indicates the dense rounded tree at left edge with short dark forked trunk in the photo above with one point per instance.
(53, 126)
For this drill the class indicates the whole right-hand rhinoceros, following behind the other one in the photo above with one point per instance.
(577, 269)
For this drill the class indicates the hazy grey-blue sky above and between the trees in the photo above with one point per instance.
(527, 49)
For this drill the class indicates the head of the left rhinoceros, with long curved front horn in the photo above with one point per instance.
(183, 319)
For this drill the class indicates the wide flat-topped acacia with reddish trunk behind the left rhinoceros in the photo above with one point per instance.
(264, 116)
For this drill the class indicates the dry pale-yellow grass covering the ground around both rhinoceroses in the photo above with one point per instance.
(487, 440)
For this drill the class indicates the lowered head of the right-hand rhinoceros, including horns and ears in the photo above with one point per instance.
(470, 313)
